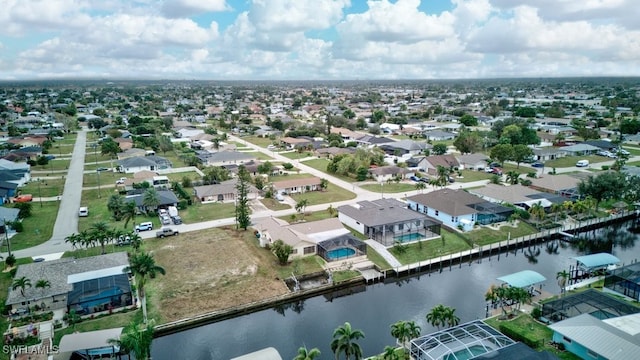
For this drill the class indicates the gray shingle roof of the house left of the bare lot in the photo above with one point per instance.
(57, 273)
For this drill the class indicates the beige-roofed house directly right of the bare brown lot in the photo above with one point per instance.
(302, 237)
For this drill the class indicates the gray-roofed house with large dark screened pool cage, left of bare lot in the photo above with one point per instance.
(86, 285)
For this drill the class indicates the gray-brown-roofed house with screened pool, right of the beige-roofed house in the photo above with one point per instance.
(387, 221)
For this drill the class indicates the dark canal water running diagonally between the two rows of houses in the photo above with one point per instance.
(374, 308)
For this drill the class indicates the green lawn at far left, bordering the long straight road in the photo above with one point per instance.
(38, 227)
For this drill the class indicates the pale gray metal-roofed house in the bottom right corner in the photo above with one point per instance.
(591, 338)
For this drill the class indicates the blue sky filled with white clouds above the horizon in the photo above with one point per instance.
(317, 39)
